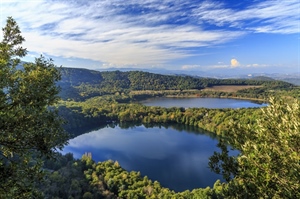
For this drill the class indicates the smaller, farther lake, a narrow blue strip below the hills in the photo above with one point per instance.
(201, 102)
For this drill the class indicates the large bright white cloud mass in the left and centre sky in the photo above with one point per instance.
(96, 31)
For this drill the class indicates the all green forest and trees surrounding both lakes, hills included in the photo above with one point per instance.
(43, 106)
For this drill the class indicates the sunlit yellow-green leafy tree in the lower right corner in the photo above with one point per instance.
(269, 162)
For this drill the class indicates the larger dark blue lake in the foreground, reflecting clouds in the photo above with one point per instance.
(175, 155)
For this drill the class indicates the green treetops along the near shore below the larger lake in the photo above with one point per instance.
(86, 179)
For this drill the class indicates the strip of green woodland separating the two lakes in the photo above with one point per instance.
(101, 110)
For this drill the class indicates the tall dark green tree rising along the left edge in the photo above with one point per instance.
(29, 125)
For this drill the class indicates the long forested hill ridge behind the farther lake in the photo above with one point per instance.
(84, 83)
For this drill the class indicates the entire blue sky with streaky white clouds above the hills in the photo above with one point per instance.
(251, 36)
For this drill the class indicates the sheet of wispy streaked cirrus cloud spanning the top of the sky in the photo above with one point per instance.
(138, 32)
